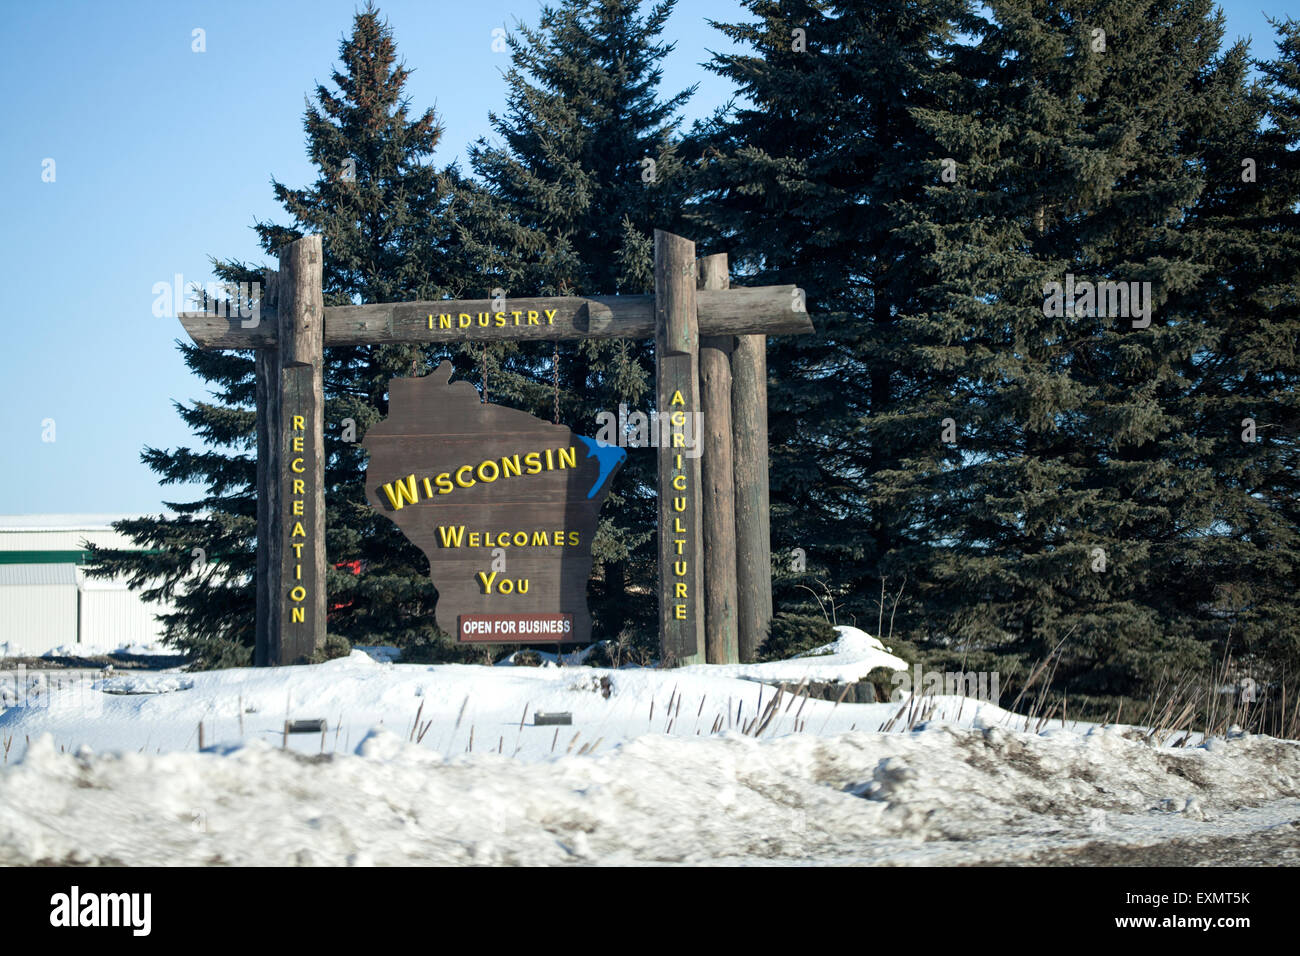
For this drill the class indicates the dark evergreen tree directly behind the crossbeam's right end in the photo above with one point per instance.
(812, 180)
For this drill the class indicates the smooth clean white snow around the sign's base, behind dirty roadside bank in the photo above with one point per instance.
(161, 712)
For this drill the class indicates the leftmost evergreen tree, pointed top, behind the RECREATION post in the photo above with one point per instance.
(384, 217)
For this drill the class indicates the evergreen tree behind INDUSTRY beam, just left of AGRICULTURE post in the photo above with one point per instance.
(584, 168)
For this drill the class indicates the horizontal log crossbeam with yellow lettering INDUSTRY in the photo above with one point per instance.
(759, 310)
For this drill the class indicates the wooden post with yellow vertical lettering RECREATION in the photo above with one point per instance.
(297, 559)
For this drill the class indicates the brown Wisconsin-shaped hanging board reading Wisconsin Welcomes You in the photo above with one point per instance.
(502, 504)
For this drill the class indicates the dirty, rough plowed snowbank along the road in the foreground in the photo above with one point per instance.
(939, 795)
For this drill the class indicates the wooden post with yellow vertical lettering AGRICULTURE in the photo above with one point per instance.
(682, 609)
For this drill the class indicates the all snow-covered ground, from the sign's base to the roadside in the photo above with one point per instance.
(444, 764)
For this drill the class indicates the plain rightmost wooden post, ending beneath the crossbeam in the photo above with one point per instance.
(753, 542)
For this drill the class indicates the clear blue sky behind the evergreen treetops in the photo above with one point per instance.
(164, 158)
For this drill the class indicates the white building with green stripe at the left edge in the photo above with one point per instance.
(46, 600)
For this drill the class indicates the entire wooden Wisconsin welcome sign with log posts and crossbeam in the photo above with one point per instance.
(463, 479)
